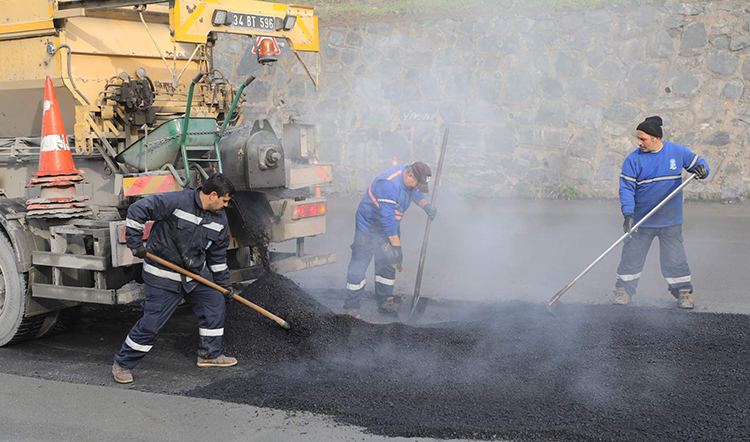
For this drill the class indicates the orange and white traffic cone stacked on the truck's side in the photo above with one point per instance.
(57, 175)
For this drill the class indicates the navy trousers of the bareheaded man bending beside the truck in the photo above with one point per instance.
(208, 304)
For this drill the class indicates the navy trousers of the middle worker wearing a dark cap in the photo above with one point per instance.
(363, 249)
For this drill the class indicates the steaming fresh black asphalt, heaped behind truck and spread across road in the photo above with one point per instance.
(510, 372)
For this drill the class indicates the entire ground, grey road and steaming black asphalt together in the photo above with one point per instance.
(493, 370)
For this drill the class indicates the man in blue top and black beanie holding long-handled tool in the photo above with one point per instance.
(649, 174)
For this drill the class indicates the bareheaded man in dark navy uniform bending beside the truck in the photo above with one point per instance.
(190, 229)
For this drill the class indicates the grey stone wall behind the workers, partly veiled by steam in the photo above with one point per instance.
(539, 104)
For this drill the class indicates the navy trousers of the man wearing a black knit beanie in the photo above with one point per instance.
(674, 266)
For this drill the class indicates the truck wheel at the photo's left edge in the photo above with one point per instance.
(13, 326)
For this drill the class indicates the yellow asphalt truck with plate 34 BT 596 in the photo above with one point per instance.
(146, 112)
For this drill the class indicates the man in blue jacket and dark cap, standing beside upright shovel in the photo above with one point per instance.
(378, 233)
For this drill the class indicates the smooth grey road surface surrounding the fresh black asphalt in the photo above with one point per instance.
(479, 250)
